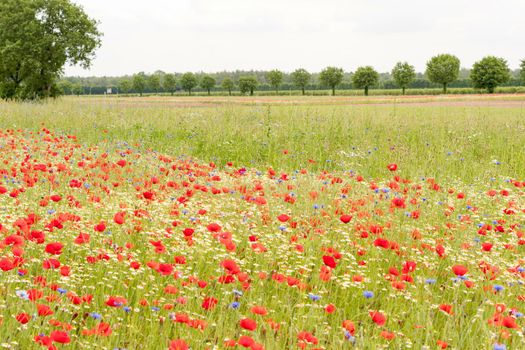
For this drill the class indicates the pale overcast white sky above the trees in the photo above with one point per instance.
(219, 35)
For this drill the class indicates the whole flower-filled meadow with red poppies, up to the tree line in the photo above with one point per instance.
(275, 223)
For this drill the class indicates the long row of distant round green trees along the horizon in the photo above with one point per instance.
(441, 70)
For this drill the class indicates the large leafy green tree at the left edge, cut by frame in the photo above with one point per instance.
(37, 39)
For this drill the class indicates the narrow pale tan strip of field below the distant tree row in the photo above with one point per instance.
(493, 101)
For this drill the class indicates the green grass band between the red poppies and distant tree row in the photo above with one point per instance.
(430, 137)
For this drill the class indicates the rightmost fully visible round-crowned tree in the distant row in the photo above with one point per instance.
(489, 72)
